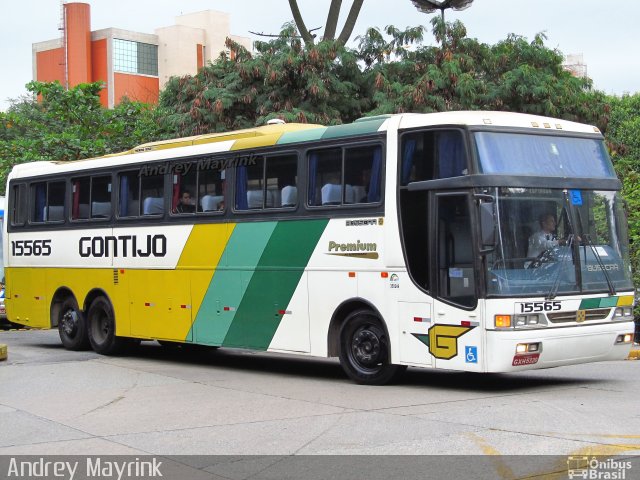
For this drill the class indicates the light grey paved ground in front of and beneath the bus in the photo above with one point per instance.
(161, 402)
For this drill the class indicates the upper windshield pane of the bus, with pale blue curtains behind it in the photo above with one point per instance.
(555, 156)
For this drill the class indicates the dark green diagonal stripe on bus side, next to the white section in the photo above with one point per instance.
(274, 282)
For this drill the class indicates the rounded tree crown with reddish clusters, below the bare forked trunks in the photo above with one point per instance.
(284, 79)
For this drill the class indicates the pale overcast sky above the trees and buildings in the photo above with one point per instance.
(606, 33)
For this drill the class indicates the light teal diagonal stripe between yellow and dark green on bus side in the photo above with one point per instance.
(230, 281)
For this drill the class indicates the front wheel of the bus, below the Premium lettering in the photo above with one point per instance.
(364, 350)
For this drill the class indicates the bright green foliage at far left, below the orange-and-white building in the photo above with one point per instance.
(58, 124)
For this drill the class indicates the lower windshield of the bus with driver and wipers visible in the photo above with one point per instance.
(558, 242)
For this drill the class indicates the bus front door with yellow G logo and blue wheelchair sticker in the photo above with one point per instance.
(455, 335)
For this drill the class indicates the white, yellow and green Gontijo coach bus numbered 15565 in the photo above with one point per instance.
(395, 241)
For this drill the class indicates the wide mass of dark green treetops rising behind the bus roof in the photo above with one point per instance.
(390, 71)
